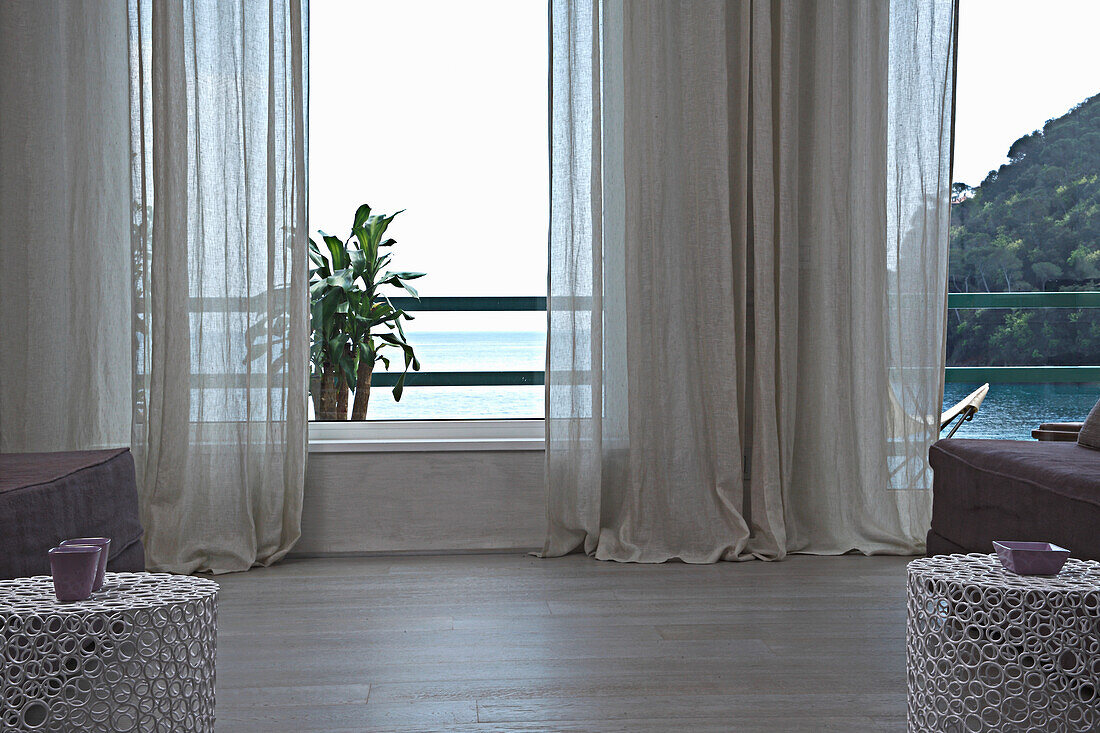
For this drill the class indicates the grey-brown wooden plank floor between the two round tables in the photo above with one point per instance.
(513, 643)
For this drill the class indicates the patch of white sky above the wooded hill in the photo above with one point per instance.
(1021, 63)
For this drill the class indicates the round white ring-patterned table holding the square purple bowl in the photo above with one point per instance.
(987, 650)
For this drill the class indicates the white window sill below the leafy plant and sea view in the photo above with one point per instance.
(399, 436)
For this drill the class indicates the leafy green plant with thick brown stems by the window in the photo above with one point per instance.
(353, 320)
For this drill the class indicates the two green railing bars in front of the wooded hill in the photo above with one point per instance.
(1035, 375)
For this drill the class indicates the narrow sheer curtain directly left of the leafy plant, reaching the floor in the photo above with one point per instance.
(221, 316)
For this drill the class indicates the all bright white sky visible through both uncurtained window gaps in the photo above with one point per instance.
(447, 118)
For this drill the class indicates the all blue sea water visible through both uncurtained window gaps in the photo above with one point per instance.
(1010, 411)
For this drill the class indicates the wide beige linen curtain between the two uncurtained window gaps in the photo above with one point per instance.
(747, 276)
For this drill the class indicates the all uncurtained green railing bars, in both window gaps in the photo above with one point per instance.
(964, 301)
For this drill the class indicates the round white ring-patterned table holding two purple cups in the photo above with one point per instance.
(139, 655)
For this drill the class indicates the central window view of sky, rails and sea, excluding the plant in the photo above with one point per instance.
(439, 108)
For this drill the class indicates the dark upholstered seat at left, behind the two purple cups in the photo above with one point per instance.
(47, 498)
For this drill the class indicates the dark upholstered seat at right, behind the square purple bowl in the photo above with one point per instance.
(1022, 490)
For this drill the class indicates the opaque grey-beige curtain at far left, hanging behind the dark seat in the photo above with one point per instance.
(64, 240)
